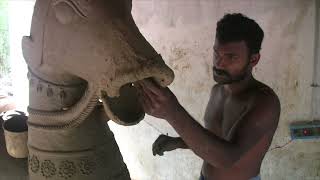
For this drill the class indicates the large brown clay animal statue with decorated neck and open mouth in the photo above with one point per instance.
(81, 53)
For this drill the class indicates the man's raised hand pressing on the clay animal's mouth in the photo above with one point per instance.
(157, 101)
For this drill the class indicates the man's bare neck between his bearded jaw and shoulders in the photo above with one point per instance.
(240, 86)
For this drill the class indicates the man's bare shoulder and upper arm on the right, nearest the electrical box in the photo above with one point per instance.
(262, 118)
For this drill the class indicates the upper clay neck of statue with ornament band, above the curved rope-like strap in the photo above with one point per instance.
(54, 91)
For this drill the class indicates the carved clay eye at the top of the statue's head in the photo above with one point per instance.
(66, 11)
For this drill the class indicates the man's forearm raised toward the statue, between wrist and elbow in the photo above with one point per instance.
(205, 144)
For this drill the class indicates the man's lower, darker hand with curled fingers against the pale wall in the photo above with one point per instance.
(166, 143)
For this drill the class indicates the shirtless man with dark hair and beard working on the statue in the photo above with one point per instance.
(241, 116)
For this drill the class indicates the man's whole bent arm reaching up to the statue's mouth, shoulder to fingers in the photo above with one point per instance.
(260, 124)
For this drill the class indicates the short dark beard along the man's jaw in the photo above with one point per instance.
(223, 77)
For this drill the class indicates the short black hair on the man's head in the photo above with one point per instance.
(237, 27)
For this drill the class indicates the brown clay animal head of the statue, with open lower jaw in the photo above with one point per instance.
(97, 41)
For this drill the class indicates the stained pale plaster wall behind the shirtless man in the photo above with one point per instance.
(183, 31)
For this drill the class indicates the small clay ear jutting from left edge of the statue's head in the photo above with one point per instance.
(31, 53)
